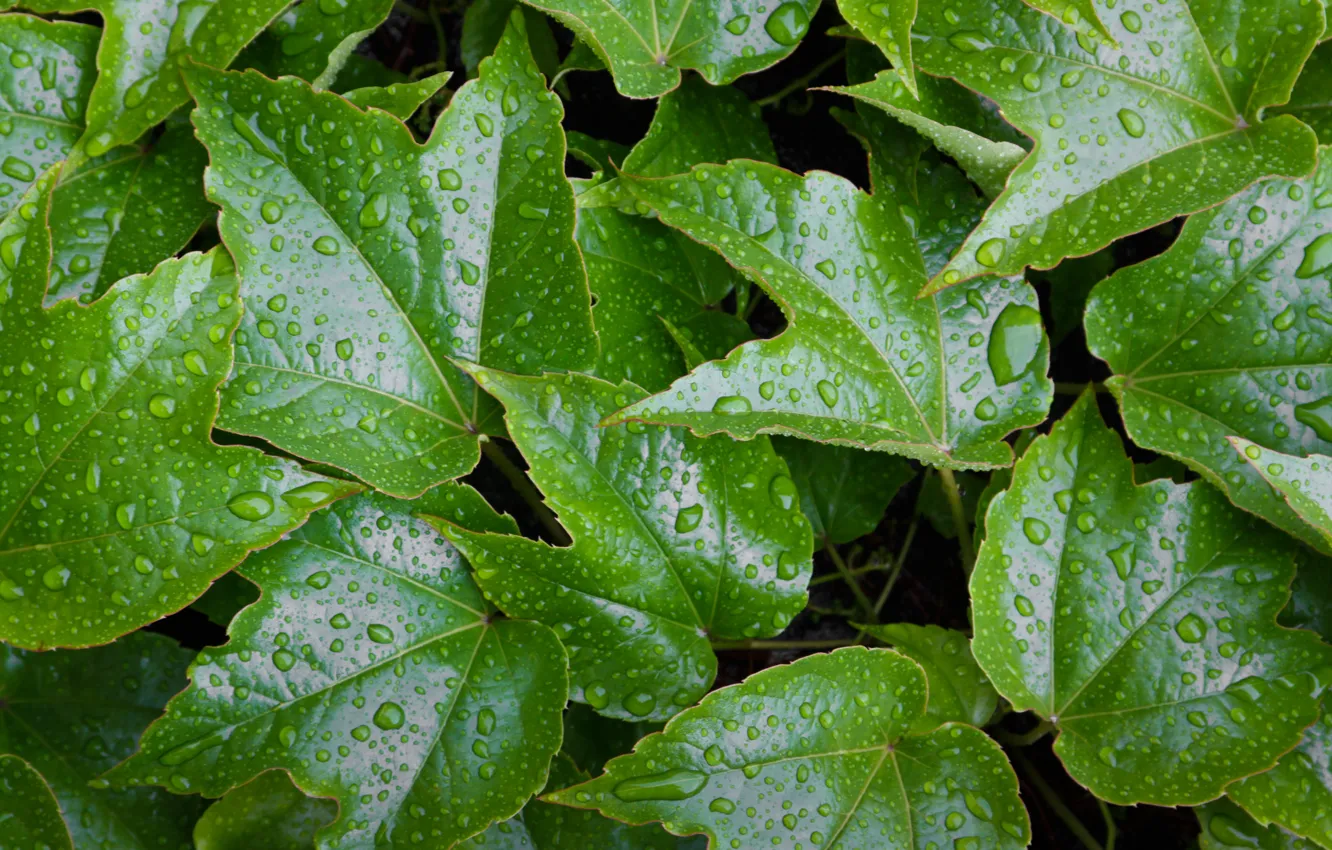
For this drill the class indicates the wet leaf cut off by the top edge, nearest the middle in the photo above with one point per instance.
(647, 45)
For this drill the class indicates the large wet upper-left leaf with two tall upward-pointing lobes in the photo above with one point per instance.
(435, 254)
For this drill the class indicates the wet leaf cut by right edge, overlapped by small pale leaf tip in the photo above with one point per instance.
(1227, 335)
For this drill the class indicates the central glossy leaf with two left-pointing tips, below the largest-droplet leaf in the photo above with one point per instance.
(675, 540)
